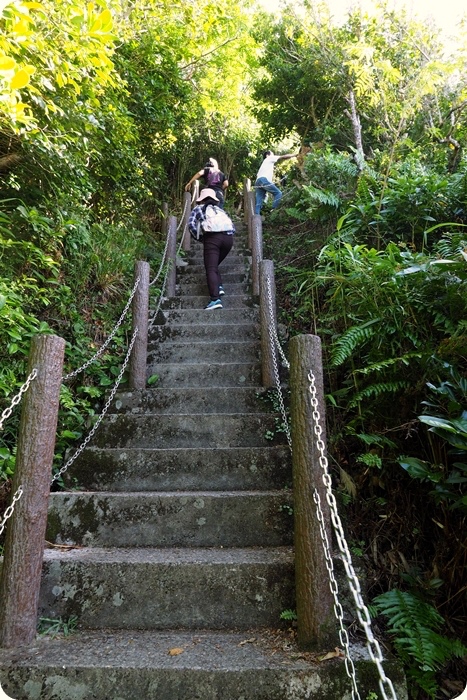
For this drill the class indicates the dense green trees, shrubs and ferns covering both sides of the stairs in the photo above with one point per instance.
(106, 111)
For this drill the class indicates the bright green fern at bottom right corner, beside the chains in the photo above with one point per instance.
(413, 625)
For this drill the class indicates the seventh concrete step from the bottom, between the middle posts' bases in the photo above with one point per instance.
(204, 374)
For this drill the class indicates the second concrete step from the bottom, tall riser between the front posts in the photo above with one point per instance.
(151, 588)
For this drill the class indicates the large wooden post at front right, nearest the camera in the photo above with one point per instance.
(315, 613)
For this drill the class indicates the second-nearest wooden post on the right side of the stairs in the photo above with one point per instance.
(267, 312)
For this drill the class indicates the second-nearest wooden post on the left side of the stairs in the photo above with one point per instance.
(140, 315)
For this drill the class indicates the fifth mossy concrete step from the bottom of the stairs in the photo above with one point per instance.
(197, 430)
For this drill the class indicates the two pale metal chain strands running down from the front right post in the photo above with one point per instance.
(363, 615)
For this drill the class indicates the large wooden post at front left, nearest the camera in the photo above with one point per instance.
(25, 537)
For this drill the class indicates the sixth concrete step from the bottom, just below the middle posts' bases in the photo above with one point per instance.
(190, 400)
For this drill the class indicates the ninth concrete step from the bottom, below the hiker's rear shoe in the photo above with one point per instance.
(203, 331)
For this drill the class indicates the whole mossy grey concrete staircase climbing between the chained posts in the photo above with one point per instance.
(175, 550)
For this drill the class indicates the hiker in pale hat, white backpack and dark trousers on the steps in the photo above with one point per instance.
(216, 244)
